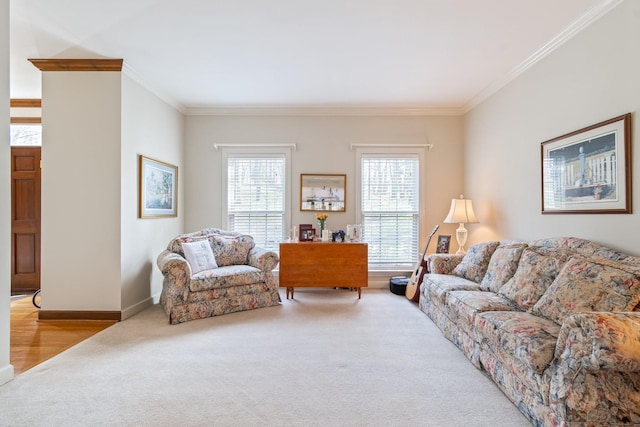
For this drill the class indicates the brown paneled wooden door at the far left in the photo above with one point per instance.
(25, 219)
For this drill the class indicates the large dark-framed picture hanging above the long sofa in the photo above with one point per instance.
(589, 170)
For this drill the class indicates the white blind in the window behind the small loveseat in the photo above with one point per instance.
(256, 197)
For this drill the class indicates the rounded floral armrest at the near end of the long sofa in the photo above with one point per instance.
(601, 340)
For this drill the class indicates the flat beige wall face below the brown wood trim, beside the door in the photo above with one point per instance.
(81, 175)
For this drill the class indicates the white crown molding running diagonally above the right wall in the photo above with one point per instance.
(591, 16)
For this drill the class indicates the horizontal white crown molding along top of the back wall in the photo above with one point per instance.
(323, 111)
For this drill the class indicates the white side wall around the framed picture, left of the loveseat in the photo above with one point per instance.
(154, 129)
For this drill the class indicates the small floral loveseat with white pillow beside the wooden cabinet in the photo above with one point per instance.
(239, 278)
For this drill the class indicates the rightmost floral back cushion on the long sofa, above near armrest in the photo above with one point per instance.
(590, 285)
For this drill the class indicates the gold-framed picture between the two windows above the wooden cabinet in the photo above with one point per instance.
(323, 192)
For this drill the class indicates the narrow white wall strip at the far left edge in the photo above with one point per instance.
(6, 370)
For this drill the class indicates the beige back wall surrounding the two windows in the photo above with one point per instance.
(323, 146)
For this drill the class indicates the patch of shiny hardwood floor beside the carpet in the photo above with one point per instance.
(33, 341)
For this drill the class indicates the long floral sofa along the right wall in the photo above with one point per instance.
(554, 322)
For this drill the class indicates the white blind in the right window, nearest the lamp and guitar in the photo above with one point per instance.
(390, 209)
